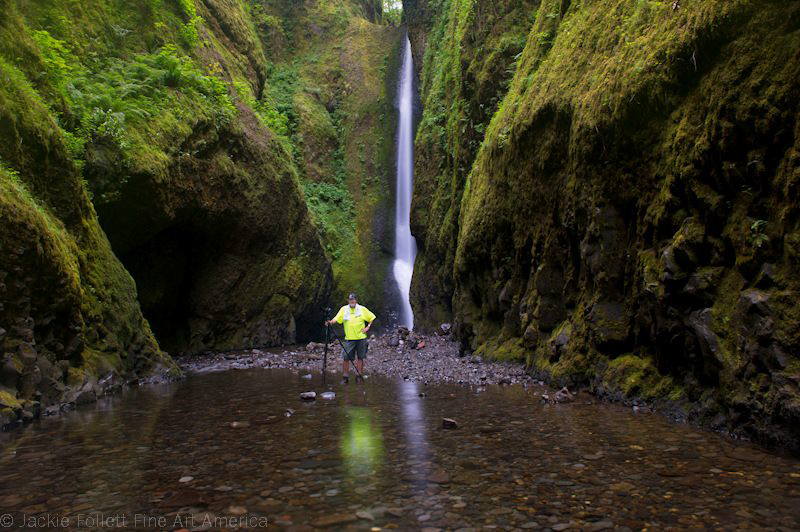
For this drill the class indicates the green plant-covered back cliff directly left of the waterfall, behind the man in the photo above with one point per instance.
(334, 77)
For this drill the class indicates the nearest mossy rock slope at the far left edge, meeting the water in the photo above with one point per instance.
(70, 324)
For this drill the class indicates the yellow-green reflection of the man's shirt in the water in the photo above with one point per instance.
(362, 443)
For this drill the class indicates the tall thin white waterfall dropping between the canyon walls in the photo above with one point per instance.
(405, 247)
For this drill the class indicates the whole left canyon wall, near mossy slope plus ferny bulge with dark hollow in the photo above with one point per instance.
(146, 116)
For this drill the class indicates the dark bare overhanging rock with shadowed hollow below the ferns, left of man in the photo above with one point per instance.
(224, 252)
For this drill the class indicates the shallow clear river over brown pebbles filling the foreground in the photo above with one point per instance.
(219, 450)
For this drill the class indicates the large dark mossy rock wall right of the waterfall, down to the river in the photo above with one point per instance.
(630, 221)
